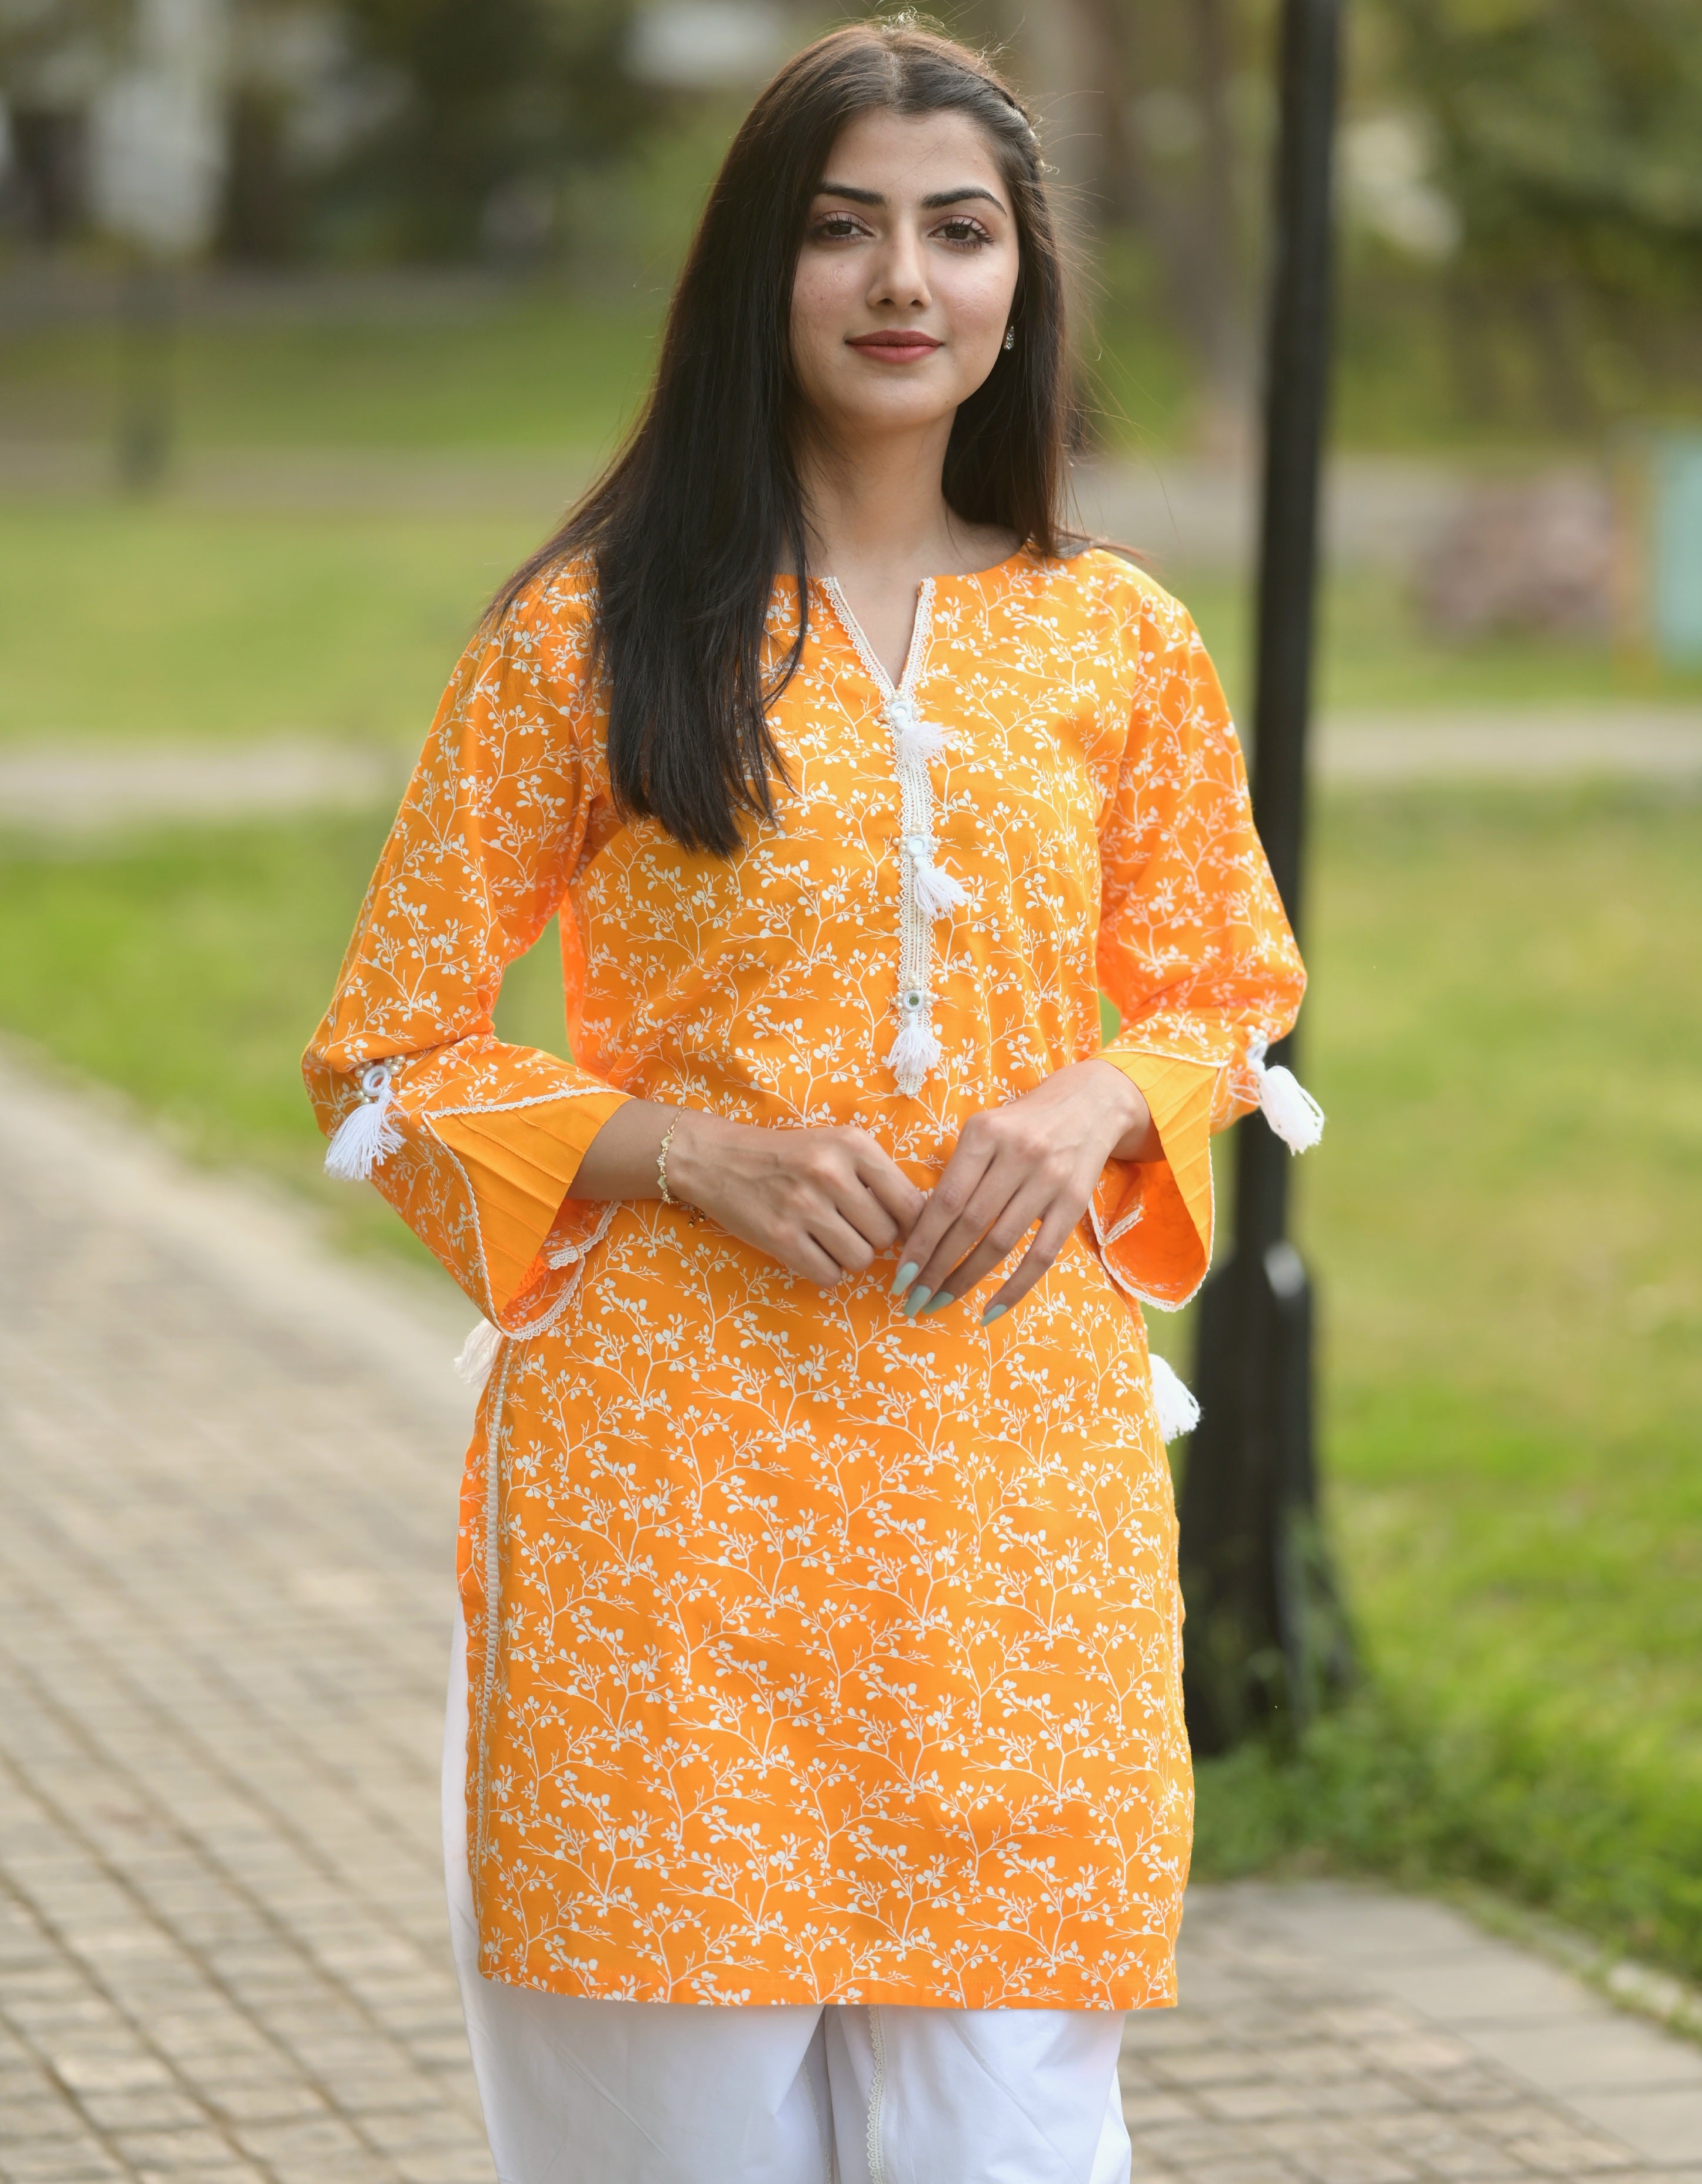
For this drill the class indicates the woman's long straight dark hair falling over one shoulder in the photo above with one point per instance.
(705, 503)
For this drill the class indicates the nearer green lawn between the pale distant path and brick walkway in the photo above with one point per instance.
(1502, 1218)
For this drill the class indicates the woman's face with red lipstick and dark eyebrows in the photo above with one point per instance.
(908, 274)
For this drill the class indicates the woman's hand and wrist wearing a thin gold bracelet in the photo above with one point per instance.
(825, 1202)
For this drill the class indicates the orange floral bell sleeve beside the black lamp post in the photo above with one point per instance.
(1196, 955)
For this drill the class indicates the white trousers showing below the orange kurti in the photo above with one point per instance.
(785, 2093)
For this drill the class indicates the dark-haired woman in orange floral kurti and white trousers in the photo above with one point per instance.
(818, 1550)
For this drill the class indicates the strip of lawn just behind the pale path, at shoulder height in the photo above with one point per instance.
(158, 621)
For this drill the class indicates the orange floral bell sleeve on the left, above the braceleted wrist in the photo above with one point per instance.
(473, 1141)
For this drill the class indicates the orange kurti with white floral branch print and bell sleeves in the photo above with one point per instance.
(820, 1654)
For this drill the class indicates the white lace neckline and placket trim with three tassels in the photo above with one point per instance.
(925, 890)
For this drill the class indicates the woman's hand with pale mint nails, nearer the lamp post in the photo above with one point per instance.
(1032, 1161)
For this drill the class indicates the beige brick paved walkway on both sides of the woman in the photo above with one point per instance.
(224, 1622)
